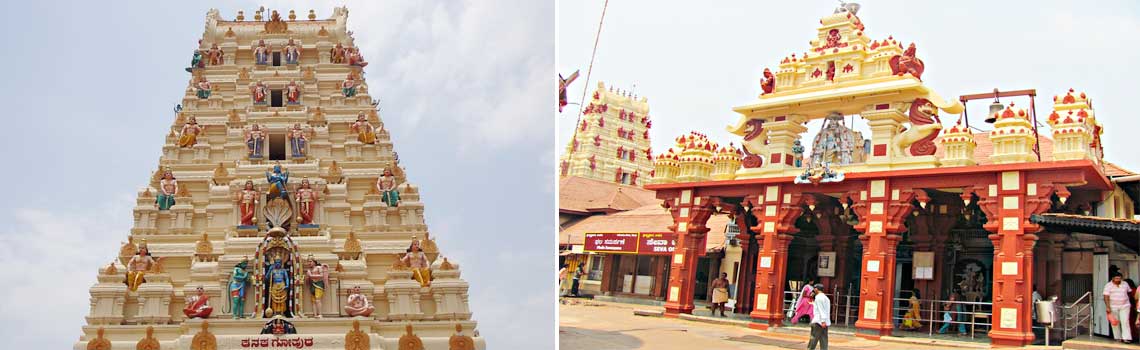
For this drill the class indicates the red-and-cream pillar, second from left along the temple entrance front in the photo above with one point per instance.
(776, 211)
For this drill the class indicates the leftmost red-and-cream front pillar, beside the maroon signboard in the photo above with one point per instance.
(690, 215)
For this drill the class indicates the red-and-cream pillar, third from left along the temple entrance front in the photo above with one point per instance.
(882, 210)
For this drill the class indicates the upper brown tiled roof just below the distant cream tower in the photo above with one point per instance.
(583, 196)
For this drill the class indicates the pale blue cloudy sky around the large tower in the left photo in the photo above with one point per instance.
(89, 87)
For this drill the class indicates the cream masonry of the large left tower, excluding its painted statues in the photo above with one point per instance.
(200, 239)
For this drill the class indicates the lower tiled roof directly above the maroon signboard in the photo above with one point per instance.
(647, 219)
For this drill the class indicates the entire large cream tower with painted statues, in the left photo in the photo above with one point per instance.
(280, 215)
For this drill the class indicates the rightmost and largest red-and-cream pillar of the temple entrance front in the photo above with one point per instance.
(1008, 205)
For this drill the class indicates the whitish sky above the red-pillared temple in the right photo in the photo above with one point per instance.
(695, 62)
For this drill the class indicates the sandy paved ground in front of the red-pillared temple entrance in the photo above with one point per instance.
(601, 325)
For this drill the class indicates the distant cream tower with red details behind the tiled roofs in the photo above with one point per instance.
(612, 142)
